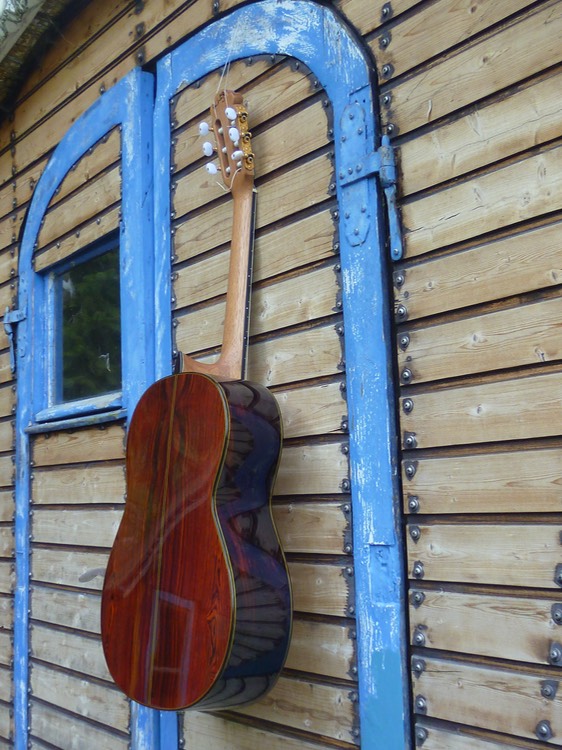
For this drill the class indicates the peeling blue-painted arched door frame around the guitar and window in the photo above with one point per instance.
(317, 36)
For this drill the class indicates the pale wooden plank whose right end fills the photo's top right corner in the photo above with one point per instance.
(523, 48)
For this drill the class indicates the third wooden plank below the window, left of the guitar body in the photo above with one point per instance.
(83, 528)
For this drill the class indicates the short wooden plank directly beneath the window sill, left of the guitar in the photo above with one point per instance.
(84, 445)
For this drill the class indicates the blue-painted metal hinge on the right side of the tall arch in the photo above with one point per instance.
(355, 167)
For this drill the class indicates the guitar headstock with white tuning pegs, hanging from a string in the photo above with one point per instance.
(233, 140)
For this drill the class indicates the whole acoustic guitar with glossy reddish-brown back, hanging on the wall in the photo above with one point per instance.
(196, 604)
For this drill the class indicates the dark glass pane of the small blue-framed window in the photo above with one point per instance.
(90, 328)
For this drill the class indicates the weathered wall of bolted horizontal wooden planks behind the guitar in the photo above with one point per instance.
(469, 94)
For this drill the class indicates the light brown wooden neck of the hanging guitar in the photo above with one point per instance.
(231, 364)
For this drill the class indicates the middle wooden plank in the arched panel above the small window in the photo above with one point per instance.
(96, 197)
